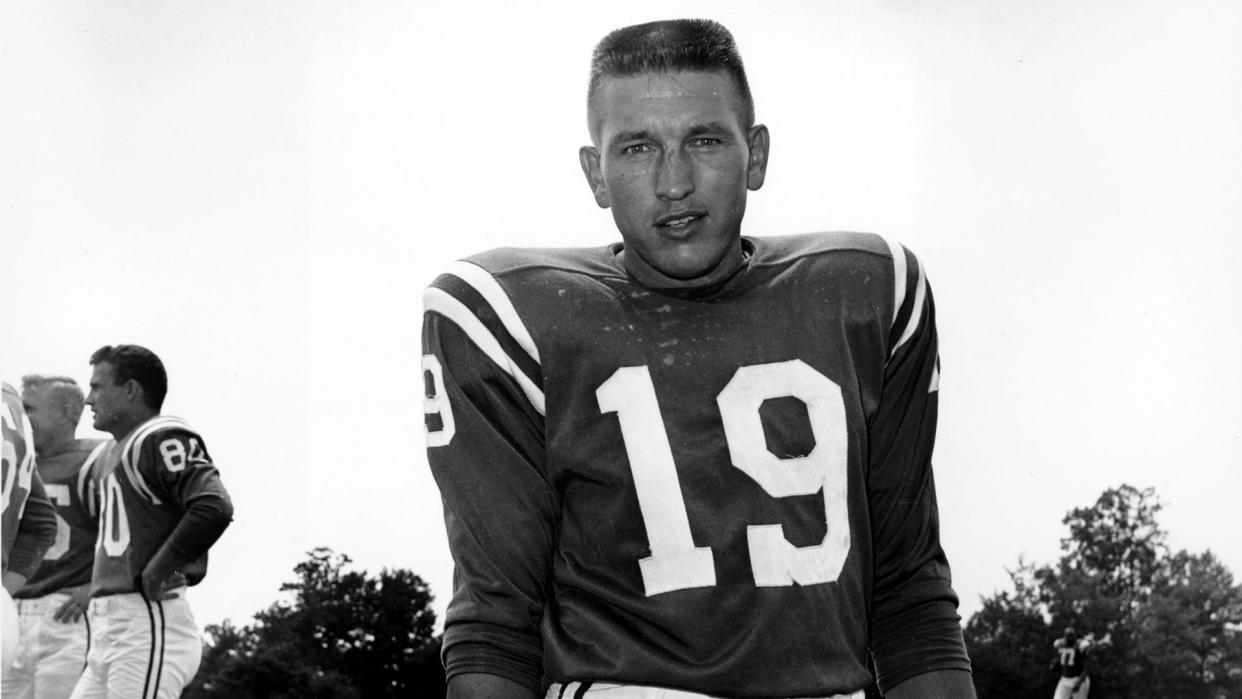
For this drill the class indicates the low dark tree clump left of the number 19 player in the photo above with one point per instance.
(340, 634)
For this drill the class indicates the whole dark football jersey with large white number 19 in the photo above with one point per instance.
(725, 491)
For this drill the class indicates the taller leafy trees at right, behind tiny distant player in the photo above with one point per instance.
(1163, 625)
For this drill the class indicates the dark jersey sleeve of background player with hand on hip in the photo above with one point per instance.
(178, 462)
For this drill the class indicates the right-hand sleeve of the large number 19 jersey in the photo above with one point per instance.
(916, 628)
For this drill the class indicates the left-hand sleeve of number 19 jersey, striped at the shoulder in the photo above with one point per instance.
(485, 445)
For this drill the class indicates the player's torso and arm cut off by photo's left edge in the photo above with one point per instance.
(28, 521)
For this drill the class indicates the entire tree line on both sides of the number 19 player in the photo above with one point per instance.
(1159, 624)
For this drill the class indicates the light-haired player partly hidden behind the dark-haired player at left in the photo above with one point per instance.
(53, 604)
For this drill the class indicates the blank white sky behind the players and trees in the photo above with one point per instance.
(260, 191)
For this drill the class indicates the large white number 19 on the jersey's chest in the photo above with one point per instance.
(676, 563)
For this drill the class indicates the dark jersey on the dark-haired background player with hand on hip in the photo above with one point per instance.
(147, 482)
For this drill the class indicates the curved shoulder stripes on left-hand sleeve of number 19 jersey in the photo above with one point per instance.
(473, 300)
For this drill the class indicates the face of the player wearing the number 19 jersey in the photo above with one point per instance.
(675, 161)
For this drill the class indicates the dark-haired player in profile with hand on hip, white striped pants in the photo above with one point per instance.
(162, 507)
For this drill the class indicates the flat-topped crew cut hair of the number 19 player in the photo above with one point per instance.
(669, 47)
